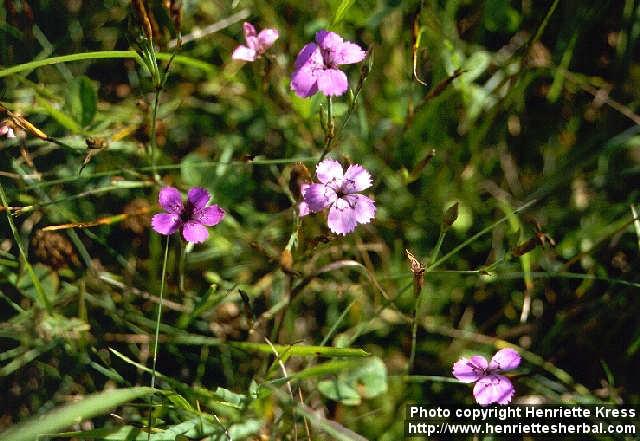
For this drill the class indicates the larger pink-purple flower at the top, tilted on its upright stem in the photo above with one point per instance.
(317, 64)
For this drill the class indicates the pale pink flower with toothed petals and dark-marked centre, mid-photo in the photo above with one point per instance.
(338, 190)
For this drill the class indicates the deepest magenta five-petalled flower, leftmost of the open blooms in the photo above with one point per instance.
(192, 218)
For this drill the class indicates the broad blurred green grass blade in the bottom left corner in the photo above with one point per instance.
(65, 416)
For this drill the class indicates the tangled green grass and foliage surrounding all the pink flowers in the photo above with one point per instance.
(502, 138)
